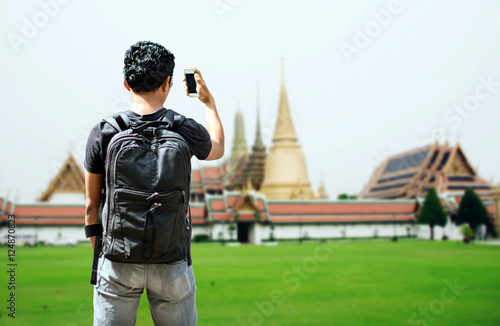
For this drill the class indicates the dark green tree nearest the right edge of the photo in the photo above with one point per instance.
(472, 210)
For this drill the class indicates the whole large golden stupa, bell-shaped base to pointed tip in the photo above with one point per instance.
(285, 174)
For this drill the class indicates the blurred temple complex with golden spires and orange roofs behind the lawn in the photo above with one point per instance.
(258, 196)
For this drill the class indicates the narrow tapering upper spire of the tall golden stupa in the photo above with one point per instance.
(284, 130)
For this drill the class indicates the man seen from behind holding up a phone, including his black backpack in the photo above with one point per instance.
(140, 191)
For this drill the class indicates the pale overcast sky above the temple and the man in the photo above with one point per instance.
(365, 79)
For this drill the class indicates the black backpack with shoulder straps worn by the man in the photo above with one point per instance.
(148, 174)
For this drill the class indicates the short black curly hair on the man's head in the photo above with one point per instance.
(147, 65)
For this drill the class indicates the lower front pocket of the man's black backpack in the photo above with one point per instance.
(146, 227)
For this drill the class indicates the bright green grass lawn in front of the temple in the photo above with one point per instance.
(410, 282)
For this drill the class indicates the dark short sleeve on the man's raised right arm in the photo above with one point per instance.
(197, 137)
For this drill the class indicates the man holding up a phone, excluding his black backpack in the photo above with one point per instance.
(148, 70)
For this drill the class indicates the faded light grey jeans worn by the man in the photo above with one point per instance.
(170, 290)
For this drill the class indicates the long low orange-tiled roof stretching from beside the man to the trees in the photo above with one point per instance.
(250, 206)
